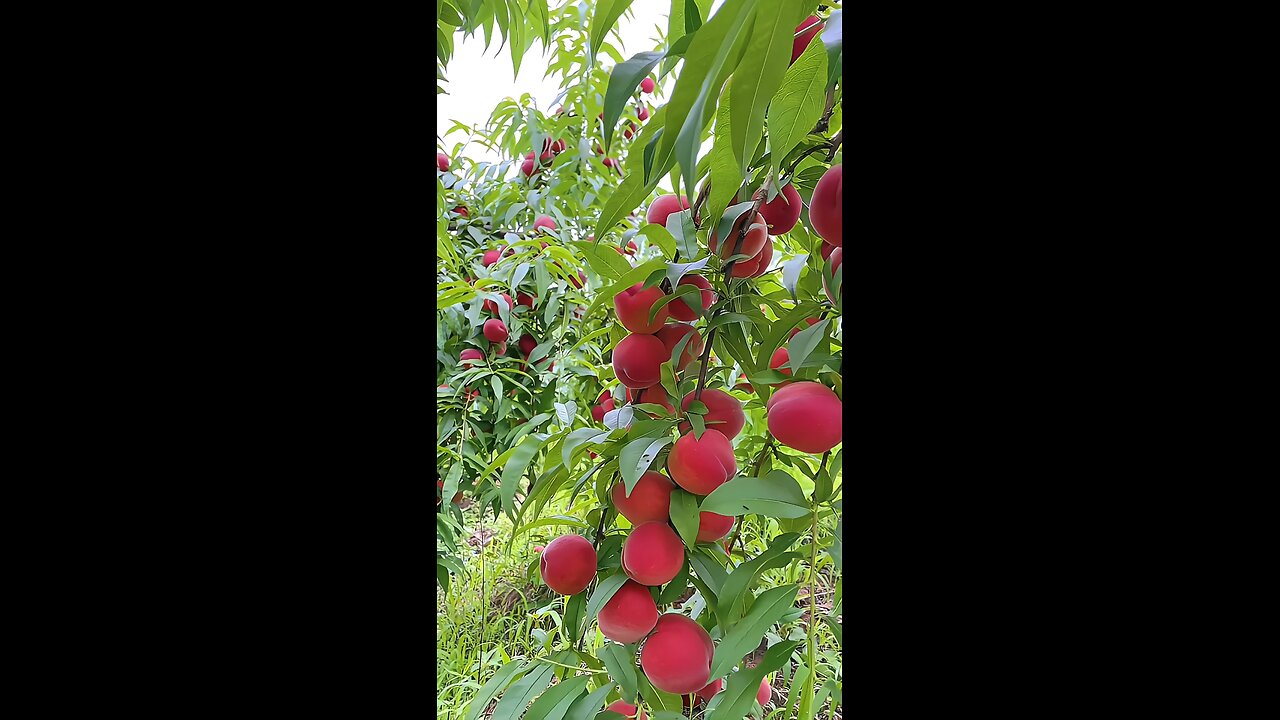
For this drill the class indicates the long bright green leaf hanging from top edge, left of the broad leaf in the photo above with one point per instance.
(757, 79)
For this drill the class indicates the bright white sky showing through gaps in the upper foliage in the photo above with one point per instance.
(478, 81)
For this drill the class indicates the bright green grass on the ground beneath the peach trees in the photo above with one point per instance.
(500, 612)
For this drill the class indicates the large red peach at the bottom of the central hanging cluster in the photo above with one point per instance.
(678, 657)
